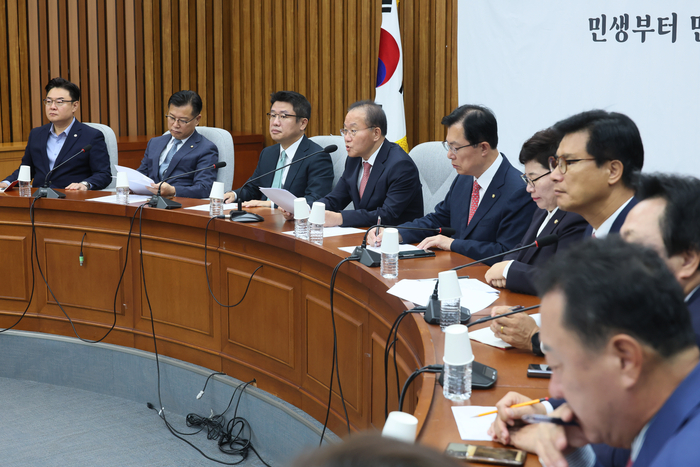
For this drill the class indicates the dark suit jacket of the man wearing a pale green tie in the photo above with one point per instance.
(311, 178)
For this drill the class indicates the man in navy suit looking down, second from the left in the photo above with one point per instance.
(181, 151)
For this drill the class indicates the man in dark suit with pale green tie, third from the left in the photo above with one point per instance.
(311, 178)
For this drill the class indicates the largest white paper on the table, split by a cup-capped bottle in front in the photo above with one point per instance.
(475, 294)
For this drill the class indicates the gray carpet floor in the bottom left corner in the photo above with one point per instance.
(47, 425)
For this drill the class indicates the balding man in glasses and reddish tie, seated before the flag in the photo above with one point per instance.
(380, 179)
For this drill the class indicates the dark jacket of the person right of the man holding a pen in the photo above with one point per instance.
(569, 227)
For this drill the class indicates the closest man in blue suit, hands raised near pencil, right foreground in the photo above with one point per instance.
(618, 336)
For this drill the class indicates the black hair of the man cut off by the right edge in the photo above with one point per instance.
(680, 222)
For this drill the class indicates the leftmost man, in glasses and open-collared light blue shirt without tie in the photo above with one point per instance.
(53, 144)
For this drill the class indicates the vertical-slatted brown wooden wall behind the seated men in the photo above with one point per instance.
(129, 56)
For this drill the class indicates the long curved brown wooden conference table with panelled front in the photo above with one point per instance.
(281, 334)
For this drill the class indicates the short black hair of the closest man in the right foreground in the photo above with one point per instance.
(610, 287)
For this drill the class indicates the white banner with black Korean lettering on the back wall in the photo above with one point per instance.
(536, 62)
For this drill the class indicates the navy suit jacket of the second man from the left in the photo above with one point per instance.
(197, 153)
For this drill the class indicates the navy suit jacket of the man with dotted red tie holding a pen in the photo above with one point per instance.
(498, 224)
